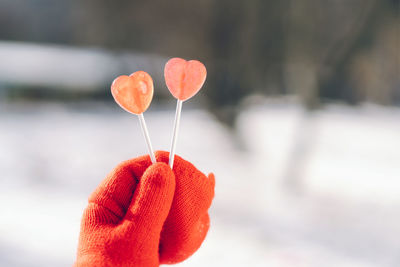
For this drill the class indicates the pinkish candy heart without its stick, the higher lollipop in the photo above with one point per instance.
(184, 78)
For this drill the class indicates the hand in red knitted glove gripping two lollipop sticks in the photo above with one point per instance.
(144, 215)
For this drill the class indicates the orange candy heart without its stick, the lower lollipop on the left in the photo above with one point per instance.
(134, 92)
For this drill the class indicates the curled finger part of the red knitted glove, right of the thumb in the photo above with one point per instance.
(188, 221)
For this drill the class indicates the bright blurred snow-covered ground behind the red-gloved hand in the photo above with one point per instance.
(293, 189)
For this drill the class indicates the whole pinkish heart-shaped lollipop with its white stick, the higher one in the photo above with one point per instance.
(184, 79)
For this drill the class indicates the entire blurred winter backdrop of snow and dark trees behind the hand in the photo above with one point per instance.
(299, 119)
